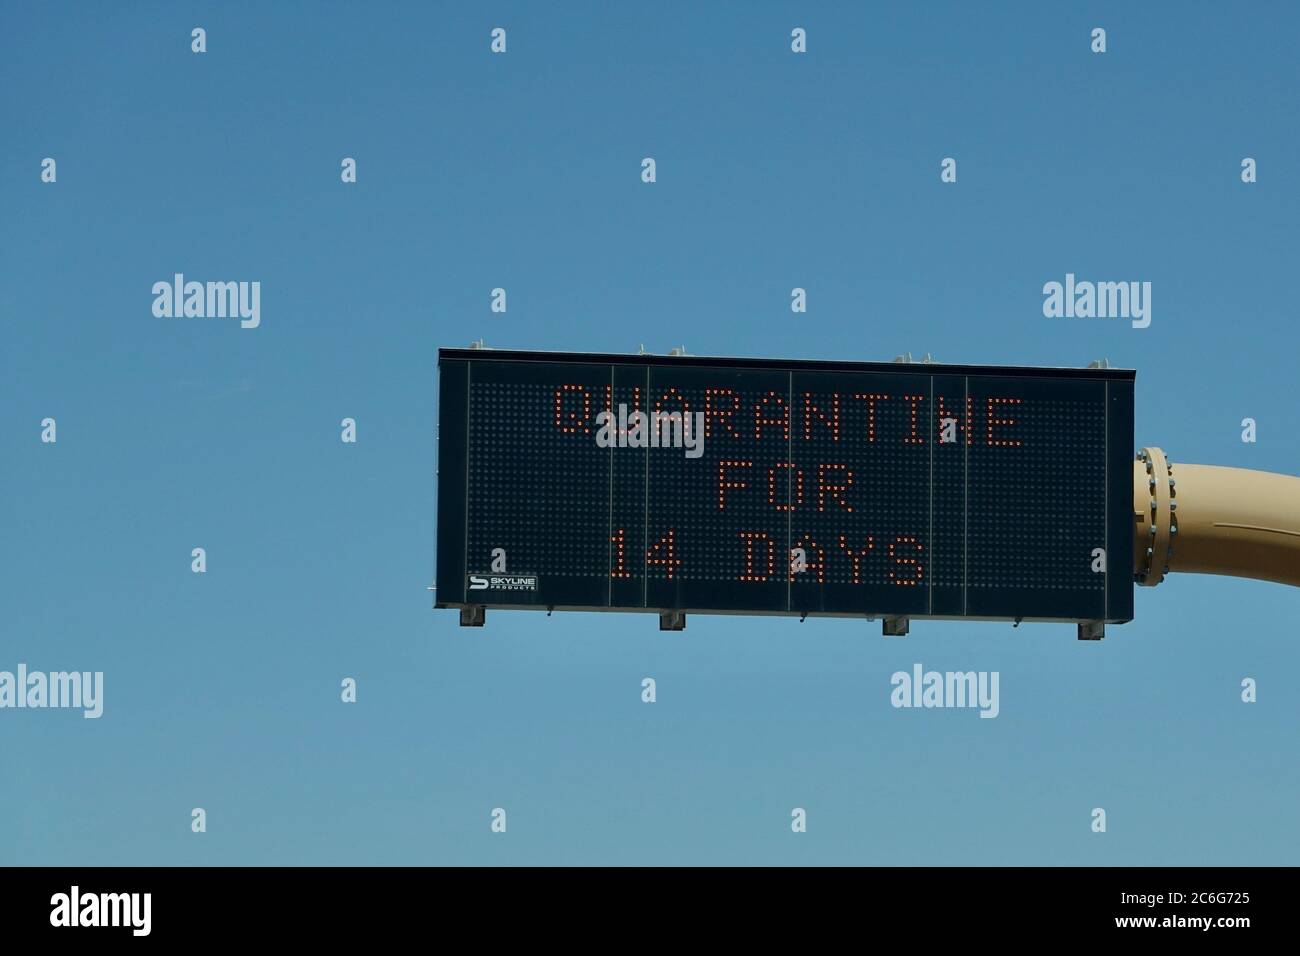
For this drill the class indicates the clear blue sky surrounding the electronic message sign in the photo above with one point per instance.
(523, 171)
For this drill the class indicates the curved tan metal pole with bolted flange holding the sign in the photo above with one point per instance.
(1208, 520)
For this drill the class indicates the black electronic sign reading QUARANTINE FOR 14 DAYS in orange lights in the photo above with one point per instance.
(785, 487)
